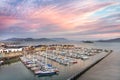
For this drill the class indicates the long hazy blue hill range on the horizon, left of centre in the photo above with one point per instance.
(40, 39)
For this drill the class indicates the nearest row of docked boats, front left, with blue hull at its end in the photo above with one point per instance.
(38, 67)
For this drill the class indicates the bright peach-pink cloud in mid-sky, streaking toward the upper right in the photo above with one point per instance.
(58, 17)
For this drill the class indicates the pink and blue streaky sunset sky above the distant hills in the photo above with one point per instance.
(71, 19)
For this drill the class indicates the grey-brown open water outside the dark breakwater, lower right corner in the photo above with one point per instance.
(107, 69)
